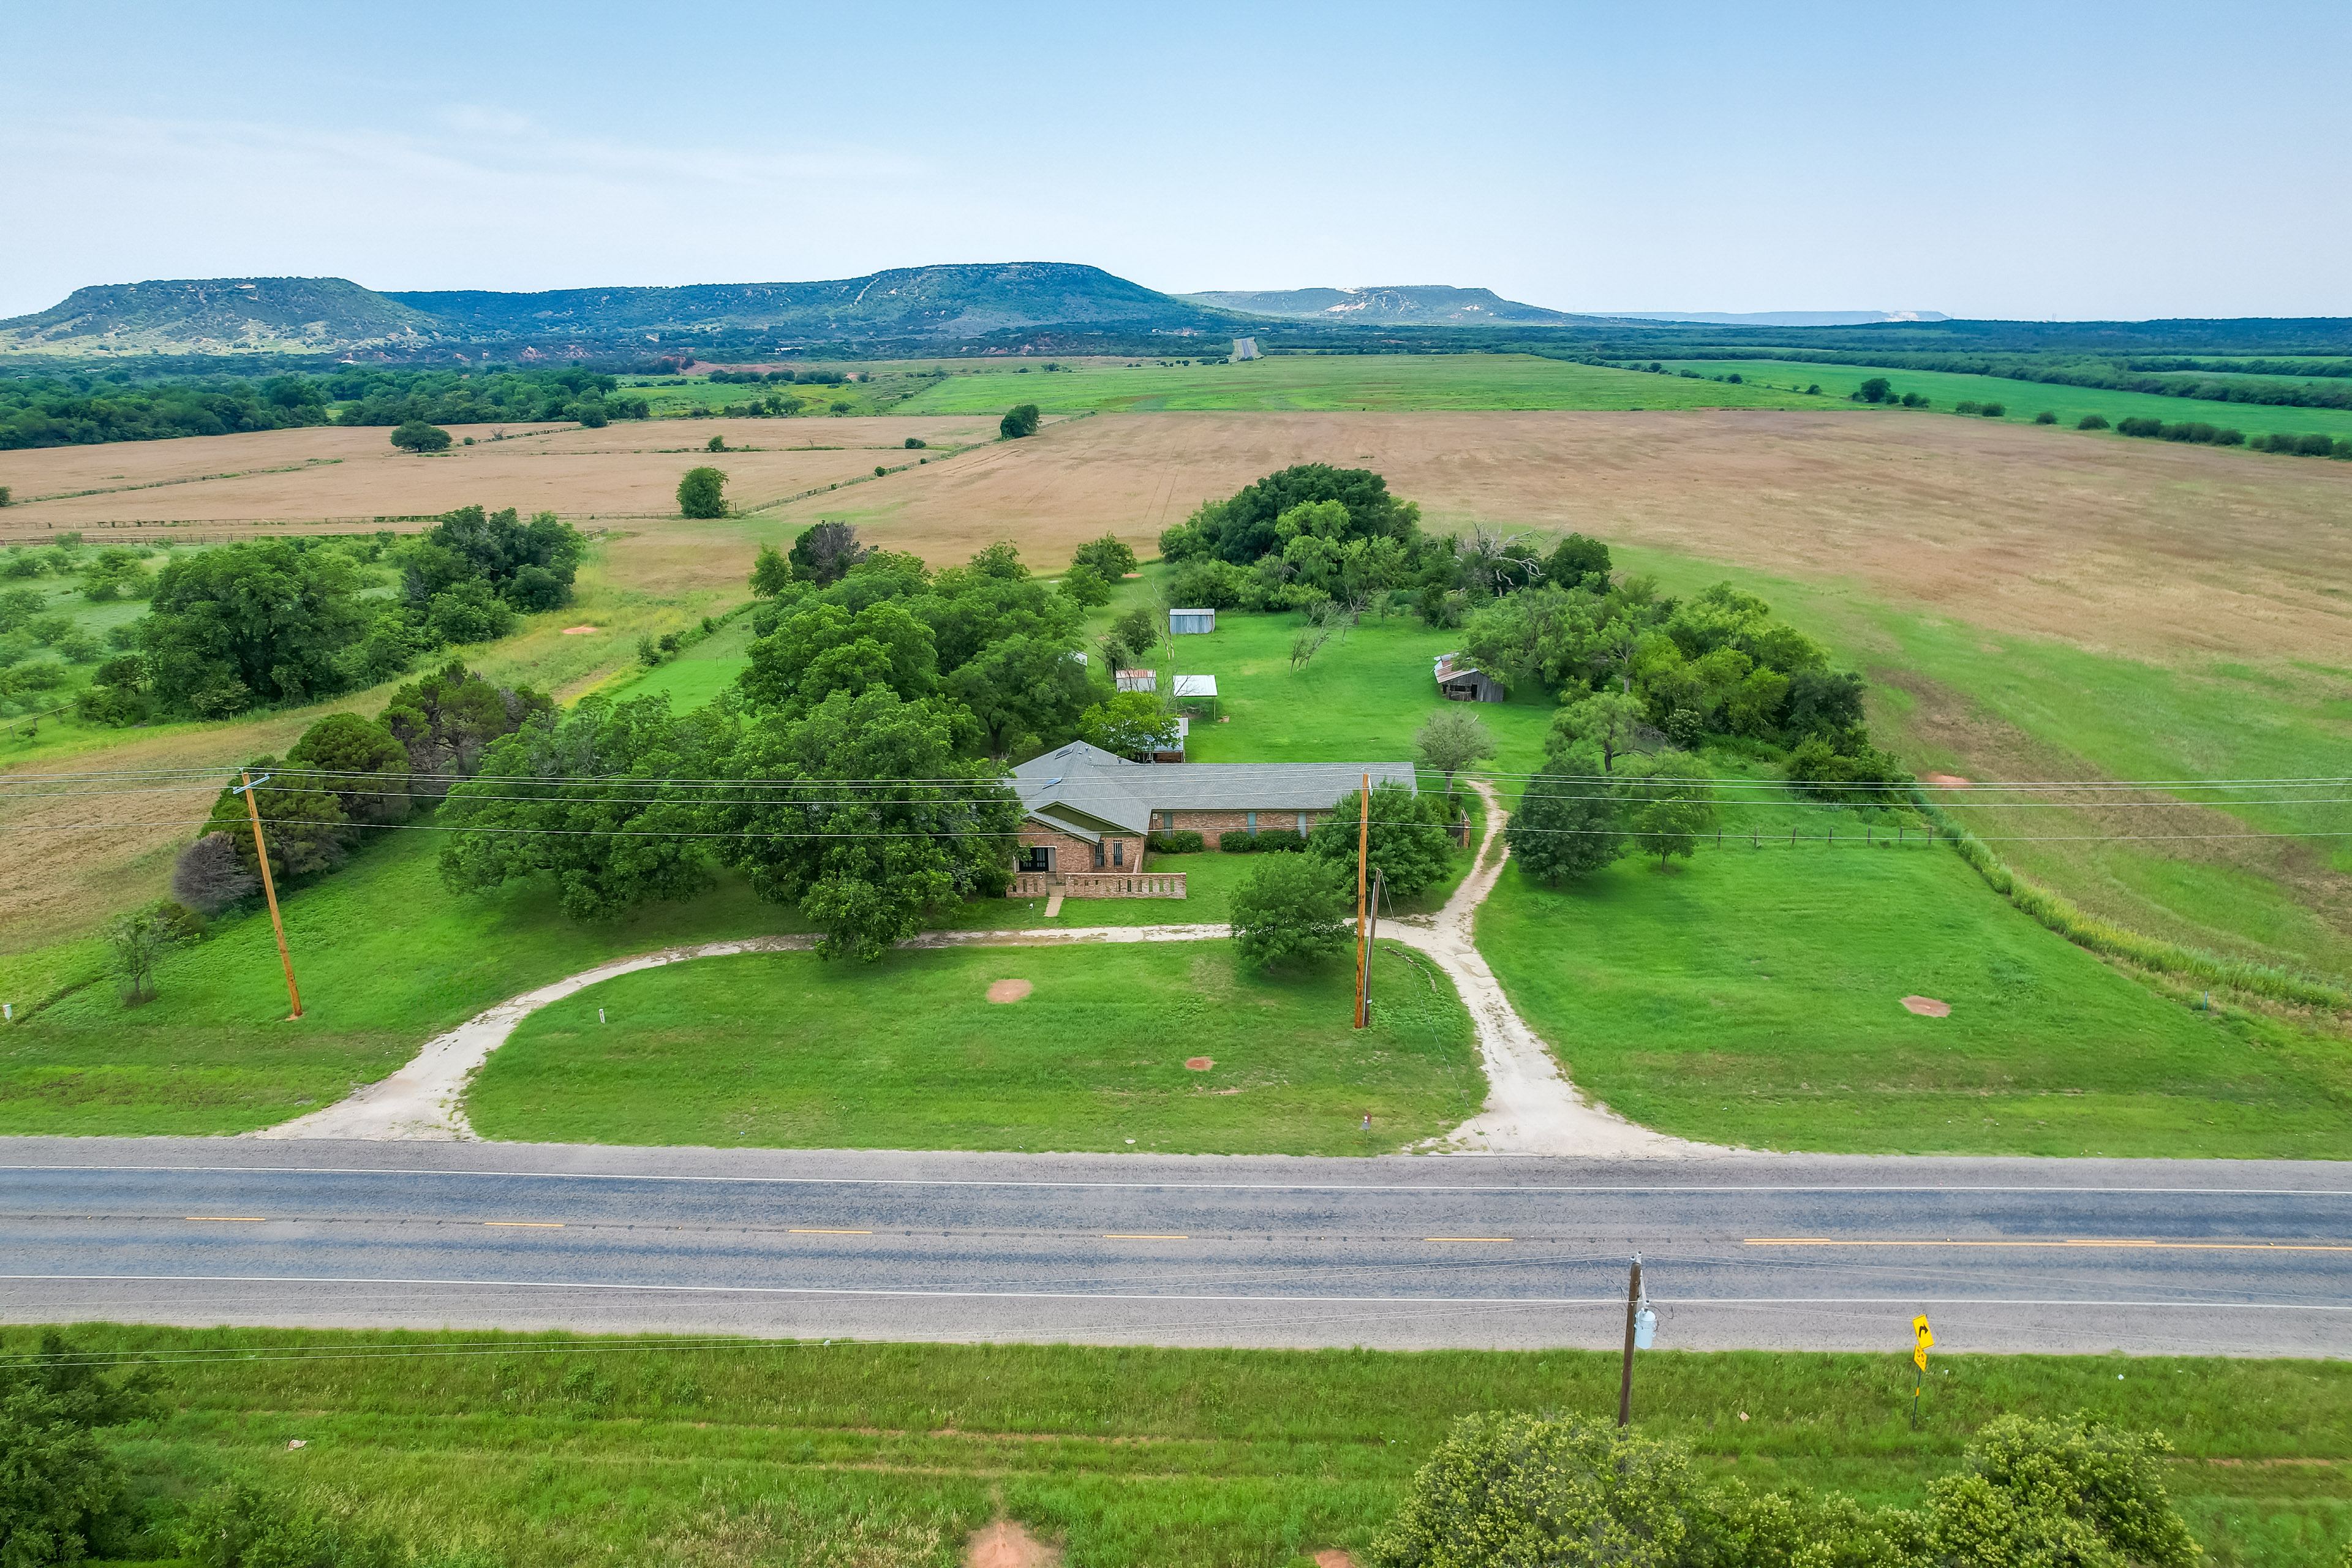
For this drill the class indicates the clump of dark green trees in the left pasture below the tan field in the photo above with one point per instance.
(281, 622)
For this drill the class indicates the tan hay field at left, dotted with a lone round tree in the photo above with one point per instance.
(300, 476)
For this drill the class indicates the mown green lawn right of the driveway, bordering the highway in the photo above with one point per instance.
(1753, 996)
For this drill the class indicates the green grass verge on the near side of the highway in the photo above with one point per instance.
(559, 1452)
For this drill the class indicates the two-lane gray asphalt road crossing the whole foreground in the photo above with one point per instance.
(1768, 1252)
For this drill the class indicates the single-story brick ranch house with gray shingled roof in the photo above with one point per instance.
(1088, 812)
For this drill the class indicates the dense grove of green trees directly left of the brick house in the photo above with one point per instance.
(855, 770)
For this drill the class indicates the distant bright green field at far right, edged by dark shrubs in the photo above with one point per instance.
(2024, 398)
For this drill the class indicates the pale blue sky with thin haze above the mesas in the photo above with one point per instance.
(1989, 161)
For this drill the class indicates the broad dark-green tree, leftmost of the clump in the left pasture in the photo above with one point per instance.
(265, 622)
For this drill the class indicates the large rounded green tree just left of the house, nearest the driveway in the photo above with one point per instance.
(864, 815)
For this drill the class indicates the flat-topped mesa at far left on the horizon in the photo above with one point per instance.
(222, 316)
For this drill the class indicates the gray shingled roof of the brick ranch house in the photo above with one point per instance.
(1090, 782)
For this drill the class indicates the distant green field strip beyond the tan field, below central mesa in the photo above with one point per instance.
(1396, 384)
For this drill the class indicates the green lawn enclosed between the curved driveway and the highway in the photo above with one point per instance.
(787, 1050)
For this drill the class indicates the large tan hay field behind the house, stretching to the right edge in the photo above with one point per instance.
(2141, 549)
